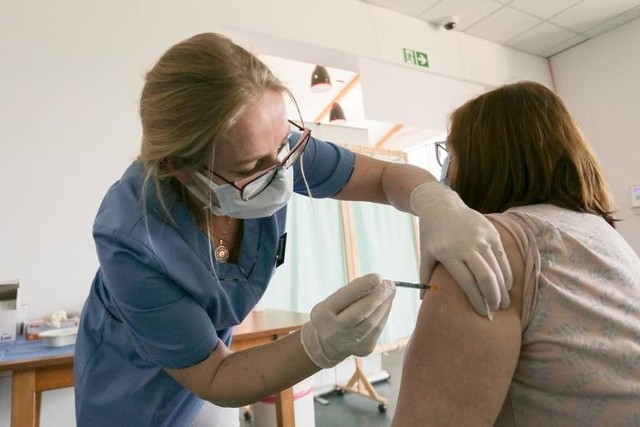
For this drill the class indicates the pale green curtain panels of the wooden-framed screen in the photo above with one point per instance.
(315, 262)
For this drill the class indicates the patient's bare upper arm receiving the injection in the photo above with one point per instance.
(458, 365)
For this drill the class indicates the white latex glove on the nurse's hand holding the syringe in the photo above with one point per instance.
(349, 321)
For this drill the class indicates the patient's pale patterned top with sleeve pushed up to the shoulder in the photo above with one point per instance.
(580, 355)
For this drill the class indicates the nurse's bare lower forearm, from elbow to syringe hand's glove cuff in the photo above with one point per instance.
(246, 376)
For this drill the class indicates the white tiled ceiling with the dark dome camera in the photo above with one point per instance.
(539, 27)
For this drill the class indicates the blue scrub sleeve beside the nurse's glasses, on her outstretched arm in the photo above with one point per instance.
(327, 168)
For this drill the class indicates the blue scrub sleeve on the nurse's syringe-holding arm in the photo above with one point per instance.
(166, 326)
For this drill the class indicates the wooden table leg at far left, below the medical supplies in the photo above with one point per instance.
(24, 402)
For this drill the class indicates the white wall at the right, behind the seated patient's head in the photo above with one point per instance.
(600, 81)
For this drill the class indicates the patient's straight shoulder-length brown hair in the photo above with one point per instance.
(519, 145)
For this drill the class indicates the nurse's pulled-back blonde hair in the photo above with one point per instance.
(191, 97)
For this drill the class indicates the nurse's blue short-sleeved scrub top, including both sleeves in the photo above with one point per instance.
(156, 303)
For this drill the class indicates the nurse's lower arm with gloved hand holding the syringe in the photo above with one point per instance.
(347, 322)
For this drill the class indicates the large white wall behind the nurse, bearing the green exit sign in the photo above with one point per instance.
(70, 76)
